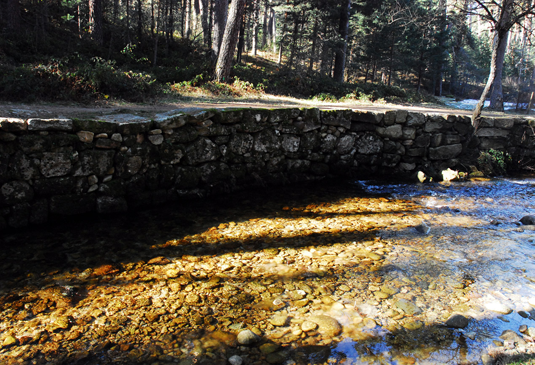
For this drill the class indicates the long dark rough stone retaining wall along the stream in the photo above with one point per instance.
(66, 167)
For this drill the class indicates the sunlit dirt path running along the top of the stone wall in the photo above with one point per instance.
(99, 108)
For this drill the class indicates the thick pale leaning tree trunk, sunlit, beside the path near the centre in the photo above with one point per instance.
(230, 38)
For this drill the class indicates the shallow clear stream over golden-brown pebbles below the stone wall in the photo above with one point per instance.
(316, 274)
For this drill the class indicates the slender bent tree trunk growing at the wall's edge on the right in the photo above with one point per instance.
(498, 46)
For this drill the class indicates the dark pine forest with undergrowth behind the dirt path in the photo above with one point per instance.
(139, 50)
